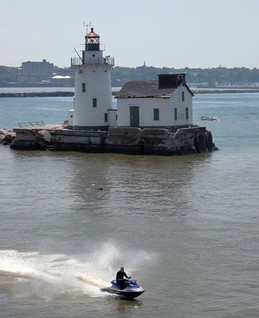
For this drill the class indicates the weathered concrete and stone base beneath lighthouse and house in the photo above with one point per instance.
(129, 140)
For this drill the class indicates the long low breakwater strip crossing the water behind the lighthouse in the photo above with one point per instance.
(69, 91)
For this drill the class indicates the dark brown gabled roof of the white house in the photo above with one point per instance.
(144, 89)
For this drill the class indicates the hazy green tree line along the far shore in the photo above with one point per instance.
(196, 77)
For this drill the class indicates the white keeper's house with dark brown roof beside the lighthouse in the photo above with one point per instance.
(163, 103)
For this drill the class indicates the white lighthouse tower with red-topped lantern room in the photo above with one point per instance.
(93, 93)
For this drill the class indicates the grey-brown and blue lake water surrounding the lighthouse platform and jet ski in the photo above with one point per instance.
(185, 227)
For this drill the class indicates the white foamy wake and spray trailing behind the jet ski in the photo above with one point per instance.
(48, 276)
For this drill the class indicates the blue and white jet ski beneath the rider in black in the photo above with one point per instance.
(131, 290)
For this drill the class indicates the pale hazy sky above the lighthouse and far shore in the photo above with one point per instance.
(170, 33)
